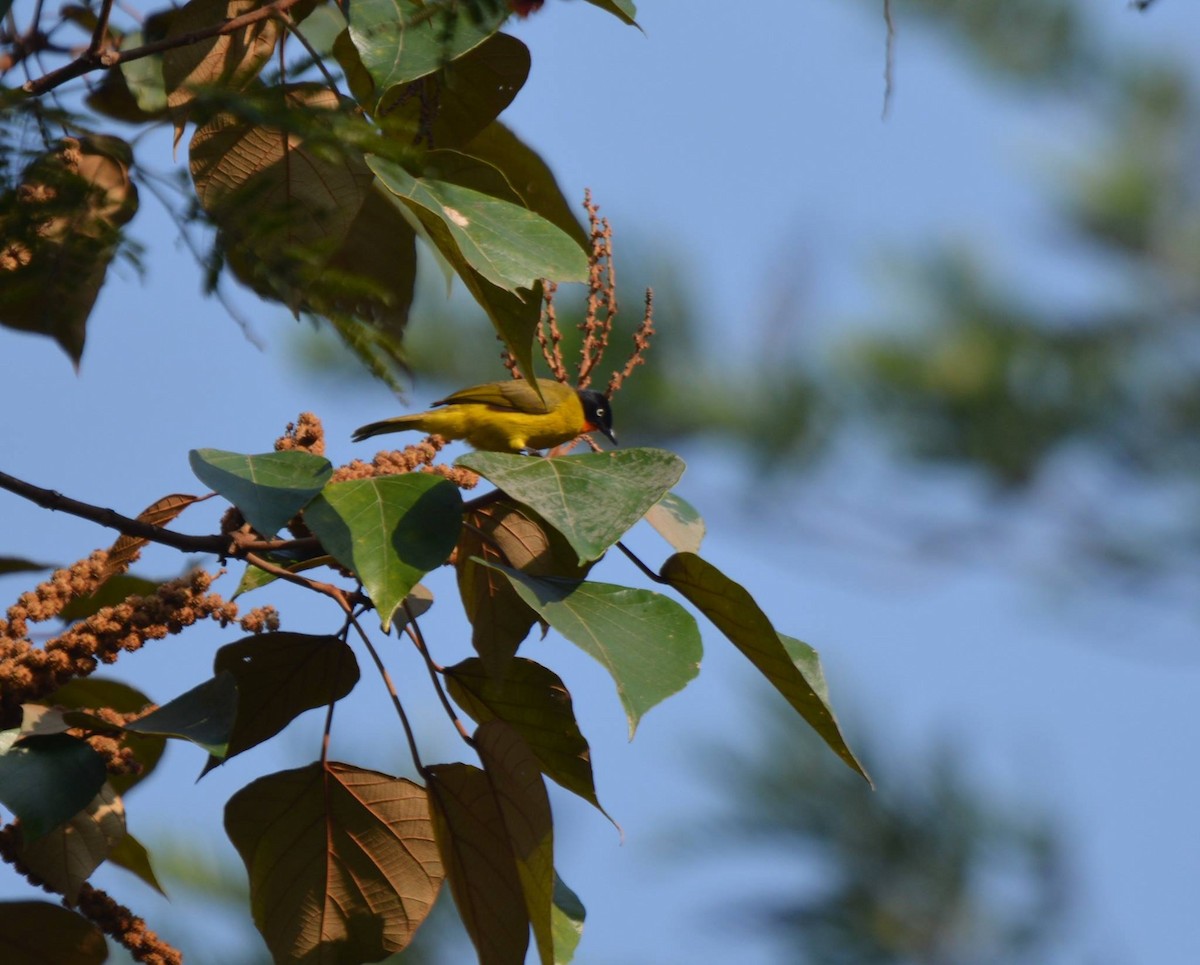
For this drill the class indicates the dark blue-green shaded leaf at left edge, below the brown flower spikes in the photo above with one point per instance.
(49, 780)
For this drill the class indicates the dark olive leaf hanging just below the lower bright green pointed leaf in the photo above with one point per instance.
(537, 705)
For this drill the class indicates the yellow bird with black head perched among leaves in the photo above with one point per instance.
(508, 417)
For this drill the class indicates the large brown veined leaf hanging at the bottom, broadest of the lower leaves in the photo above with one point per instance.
(341, 860)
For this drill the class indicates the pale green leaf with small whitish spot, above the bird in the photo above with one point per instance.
(509, 245)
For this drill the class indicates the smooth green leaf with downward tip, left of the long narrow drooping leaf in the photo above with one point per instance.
(645, 640)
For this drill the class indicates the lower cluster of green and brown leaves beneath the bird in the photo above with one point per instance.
(346, 862)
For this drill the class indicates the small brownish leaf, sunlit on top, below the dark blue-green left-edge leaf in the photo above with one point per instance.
(67, 856)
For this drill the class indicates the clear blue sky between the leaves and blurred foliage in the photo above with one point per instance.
(749, 141)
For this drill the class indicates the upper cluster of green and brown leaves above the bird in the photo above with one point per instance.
(379, 129)
